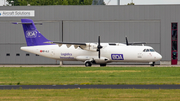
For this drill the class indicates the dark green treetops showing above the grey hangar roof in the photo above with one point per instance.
(49, 2)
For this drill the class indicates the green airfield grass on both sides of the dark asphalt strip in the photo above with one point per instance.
(89, 75)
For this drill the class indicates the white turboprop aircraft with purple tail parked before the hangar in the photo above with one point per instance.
(89, 53)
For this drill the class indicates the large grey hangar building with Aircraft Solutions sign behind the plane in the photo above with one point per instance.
(157, 25)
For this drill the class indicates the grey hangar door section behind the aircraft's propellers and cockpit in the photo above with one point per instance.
(112, 31)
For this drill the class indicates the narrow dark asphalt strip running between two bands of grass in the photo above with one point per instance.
(89, 86)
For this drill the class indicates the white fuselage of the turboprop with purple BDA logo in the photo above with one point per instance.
(117, 53)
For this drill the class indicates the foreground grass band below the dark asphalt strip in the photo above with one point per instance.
(90, 95)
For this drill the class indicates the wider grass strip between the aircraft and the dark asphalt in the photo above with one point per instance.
(88, 75)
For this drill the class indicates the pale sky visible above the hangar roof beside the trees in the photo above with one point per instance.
(137, 2)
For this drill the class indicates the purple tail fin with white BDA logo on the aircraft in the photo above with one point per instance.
(32, 35)
